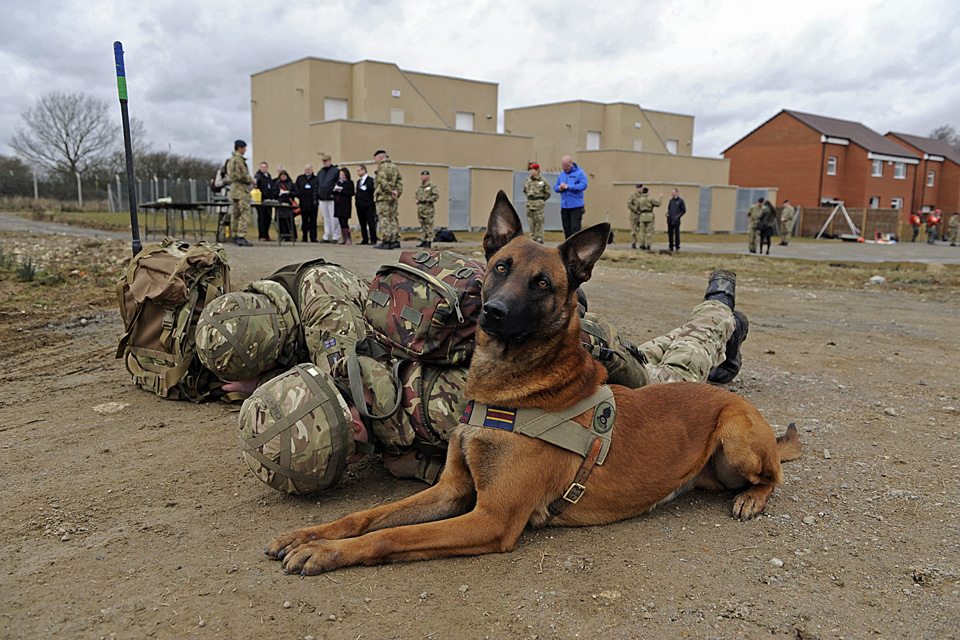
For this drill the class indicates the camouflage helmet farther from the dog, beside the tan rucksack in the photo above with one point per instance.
(240, 334)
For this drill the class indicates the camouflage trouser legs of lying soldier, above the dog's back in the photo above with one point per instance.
(688, 353)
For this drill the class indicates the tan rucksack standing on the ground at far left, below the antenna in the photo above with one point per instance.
(161, 296)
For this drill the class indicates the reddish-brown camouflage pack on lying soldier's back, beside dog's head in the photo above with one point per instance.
(425, 307)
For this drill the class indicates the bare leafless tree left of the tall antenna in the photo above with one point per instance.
(66, 133)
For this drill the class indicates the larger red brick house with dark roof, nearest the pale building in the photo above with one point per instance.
(813, 160)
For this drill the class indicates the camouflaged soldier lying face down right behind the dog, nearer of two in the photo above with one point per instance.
(301, 429)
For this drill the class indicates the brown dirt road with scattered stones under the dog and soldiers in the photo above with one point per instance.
(147, 523)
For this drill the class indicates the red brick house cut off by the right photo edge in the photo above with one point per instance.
(937, 184)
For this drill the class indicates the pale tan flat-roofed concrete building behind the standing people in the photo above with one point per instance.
(449, 126)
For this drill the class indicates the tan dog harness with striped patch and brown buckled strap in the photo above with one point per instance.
(560, 430)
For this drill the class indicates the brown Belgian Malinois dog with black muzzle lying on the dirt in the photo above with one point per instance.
(667, 438)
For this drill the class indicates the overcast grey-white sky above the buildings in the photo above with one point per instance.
(731, 64)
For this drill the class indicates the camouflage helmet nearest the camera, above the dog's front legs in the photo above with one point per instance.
(297, 431)
